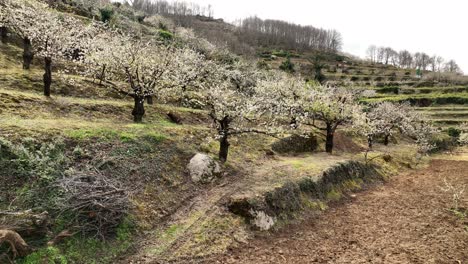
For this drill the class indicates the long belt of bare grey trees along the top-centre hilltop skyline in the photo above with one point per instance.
(251, 31)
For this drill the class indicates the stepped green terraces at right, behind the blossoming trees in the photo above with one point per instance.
(446, 103)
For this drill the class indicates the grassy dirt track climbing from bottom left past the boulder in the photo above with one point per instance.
(178, 239)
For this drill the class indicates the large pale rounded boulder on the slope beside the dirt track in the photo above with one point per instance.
(203, 168)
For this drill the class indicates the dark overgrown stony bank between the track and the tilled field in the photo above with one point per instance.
(283, 202)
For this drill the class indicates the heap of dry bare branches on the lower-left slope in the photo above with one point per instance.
(95, 203)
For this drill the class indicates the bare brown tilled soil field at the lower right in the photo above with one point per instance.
(403, 221)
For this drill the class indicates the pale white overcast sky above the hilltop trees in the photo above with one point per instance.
(430, 26)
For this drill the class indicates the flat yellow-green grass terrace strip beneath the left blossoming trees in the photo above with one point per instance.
(26, 113)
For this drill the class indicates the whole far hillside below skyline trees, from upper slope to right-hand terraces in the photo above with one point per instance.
(444, 101)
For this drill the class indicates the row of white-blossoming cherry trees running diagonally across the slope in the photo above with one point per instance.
(238, 97)
